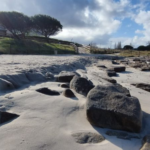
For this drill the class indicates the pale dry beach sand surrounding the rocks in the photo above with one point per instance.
(48, 122)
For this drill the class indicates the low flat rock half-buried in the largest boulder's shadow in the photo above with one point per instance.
(122, 135)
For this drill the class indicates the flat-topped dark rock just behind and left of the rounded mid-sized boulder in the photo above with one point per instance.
(65, 76)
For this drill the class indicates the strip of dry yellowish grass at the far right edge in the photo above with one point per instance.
(134, 53)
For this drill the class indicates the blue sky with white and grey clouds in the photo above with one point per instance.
(104, 22)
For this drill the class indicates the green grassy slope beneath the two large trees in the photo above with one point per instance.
(11, 46)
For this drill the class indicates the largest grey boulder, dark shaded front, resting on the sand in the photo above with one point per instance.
(109, 107)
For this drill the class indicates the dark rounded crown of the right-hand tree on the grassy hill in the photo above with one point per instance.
(46, 25)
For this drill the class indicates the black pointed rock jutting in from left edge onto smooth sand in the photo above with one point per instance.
(5, 117)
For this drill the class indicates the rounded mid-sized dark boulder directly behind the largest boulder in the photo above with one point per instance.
(81, 85)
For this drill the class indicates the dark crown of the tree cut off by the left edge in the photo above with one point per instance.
(15, 22)
